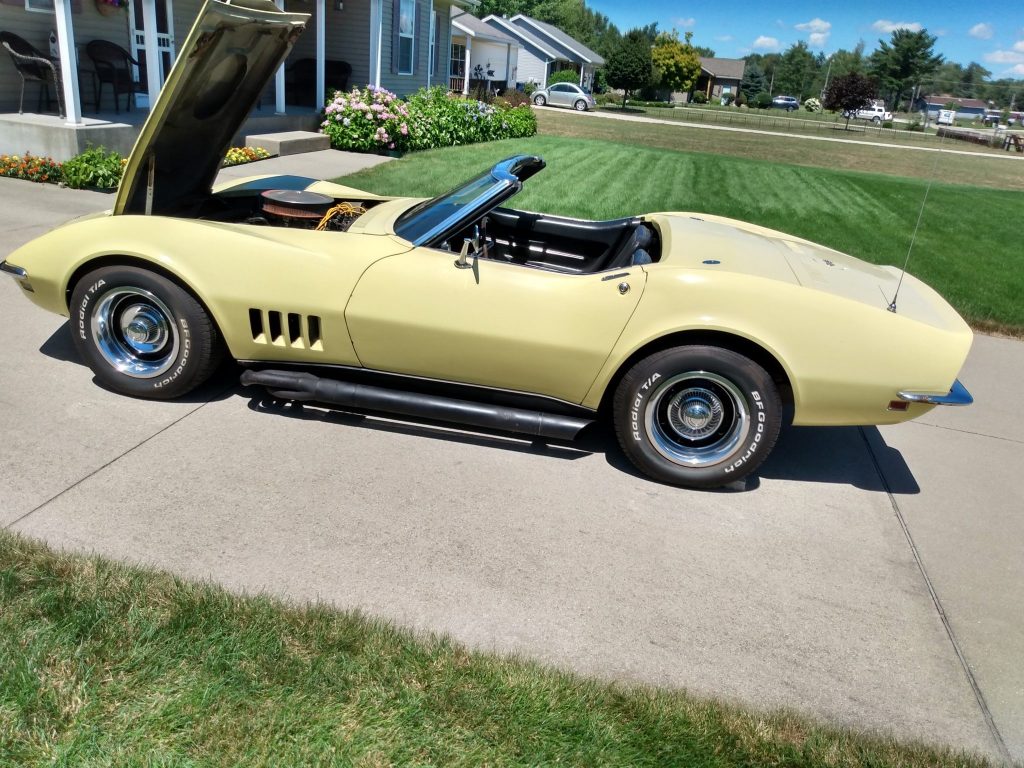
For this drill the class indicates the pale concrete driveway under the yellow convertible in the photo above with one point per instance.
(872, 578)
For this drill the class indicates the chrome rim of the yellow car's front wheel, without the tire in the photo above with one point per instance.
(136, 332)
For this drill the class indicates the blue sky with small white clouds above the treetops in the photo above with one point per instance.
(992, 34)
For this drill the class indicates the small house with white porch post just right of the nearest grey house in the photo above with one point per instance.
(481, 53)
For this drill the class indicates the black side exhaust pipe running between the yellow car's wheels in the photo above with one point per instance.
(290, 386)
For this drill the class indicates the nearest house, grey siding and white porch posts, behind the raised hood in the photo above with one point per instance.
(402, 46)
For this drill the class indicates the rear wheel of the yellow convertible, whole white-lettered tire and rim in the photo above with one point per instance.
(698, 416)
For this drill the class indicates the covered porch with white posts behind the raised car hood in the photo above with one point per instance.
(79, 106)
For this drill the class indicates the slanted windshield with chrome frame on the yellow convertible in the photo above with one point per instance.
(421, 229)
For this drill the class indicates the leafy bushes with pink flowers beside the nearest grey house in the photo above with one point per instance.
(374, 119)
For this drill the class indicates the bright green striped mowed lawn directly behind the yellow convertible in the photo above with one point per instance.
(968, 246)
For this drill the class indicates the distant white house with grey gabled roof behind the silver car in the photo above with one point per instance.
(544, 50)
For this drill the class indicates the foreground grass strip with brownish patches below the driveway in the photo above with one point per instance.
(110, 665)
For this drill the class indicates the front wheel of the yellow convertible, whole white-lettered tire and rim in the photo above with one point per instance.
(143, 334)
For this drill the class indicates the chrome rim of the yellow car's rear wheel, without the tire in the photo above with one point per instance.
(697, 419)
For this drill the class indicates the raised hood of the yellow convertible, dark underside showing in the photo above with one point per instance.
(233, 51)
